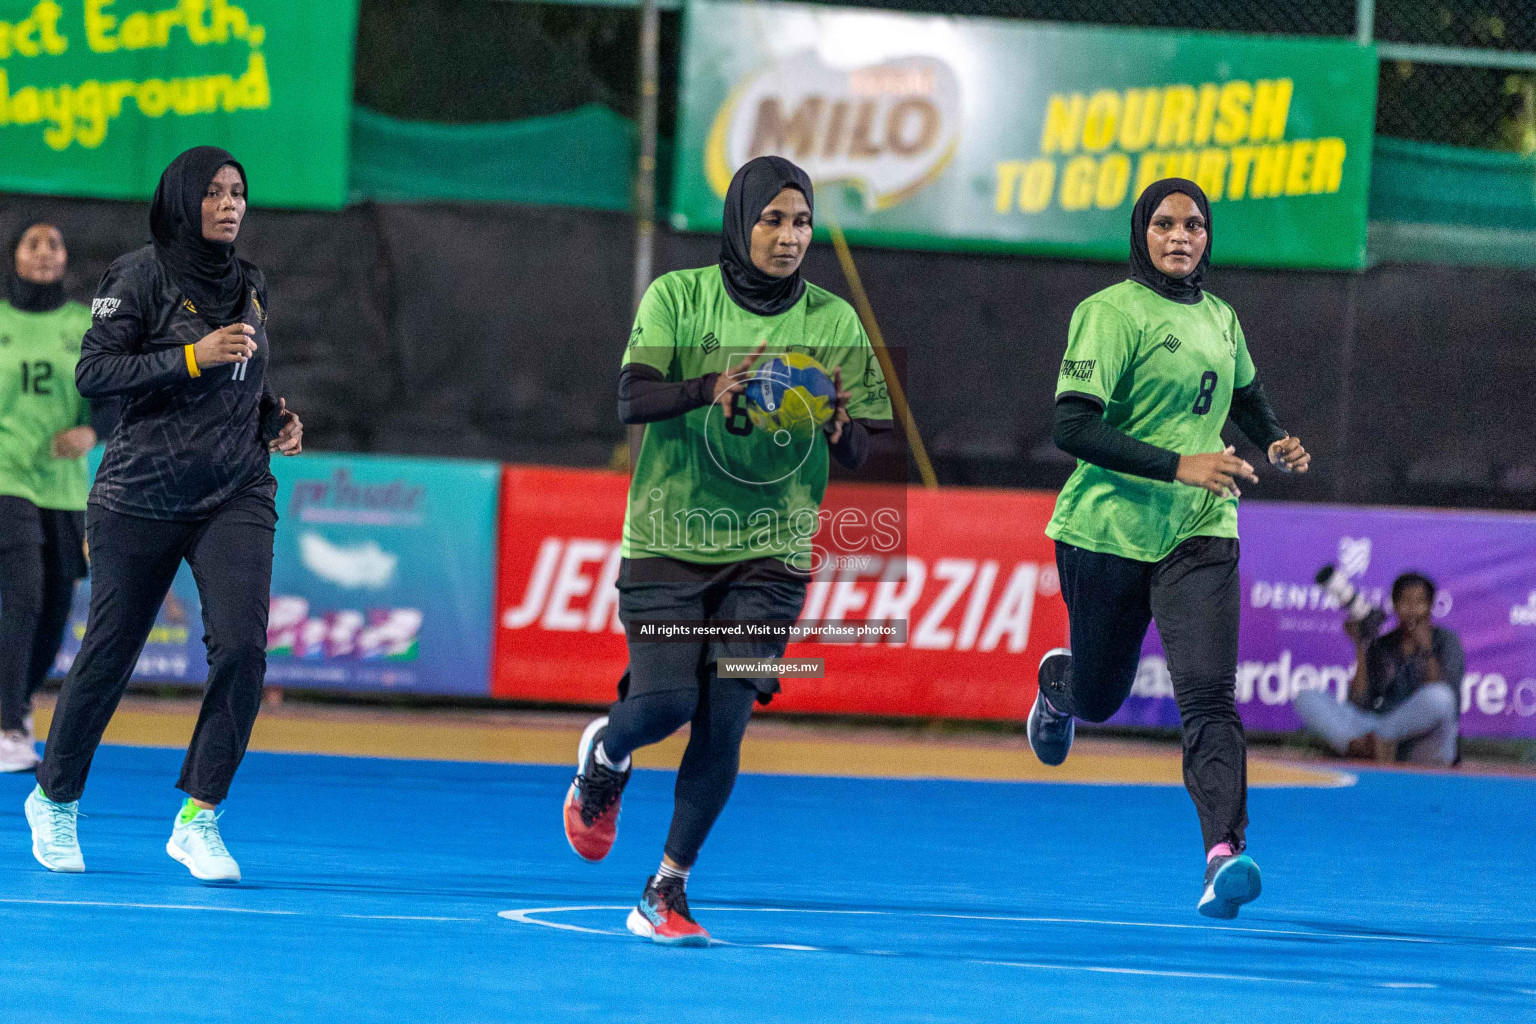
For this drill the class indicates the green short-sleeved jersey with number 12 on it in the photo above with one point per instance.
(38, 400)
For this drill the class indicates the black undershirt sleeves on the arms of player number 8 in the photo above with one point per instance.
(1081, 431)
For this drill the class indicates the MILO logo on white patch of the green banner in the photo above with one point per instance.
(889, 130)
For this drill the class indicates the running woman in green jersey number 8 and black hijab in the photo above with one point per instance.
(1148, 526)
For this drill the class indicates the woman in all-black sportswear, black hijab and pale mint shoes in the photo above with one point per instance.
(179, 337)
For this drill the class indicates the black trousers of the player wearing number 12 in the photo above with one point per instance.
(38, 586)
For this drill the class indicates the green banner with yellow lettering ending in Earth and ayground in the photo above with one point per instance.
(99, 96)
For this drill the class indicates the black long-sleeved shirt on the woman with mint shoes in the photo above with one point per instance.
(188, 438)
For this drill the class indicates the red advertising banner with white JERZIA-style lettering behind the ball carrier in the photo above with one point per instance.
(979, 593)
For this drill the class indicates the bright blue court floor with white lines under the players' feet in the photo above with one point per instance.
(434, 891)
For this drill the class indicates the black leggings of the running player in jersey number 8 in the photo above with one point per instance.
(1196, 598)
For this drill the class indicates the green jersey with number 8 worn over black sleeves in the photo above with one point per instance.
(1164, 374)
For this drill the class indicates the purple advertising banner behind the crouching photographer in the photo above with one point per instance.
(1293, 638)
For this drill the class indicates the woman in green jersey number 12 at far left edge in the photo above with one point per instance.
(45, 434)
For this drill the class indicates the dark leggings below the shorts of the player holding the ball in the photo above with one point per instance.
(720, 713)
